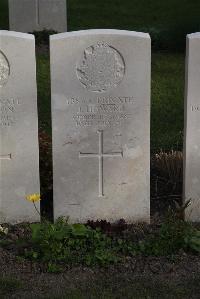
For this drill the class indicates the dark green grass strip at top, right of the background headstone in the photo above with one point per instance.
(131, 14)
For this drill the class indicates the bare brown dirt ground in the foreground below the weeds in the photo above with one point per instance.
(134, 278)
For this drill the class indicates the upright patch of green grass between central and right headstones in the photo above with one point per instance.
(167, 101)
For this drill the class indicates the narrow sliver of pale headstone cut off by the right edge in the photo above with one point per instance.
(192, 128)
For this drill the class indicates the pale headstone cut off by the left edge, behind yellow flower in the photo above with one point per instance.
(19, 169)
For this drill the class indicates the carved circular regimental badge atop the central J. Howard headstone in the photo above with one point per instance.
(101, 68)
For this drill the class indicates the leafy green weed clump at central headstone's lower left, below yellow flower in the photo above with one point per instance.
(71, 244)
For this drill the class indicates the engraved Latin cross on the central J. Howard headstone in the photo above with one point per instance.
(101, 155)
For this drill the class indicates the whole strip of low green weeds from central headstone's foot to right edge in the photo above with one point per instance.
(62, 243)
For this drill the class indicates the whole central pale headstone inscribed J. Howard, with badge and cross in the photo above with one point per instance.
(100, 114)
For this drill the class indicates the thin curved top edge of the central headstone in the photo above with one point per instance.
(99, 32)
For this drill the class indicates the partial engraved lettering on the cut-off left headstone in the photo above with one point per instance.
(8, 108)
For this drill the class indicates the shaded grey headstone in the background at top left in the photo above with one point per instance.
(37, 15)
